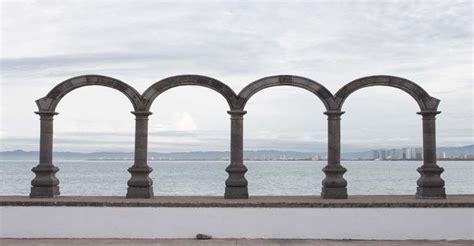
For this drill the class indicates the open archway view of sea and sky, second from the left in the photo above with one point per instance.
(188, 142)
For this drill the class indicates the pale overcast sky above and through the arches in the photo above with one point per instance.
(140, 42)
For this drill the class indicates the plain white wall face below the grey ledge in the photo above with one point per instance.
(316, 223)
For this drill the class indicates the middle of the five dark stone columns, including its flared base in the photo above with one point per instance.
(236, 184)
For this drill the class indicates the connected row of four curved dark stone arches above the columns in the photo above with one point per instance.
(143, 102)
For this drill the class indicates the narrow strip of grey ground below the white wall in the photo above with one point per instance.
(222, 242)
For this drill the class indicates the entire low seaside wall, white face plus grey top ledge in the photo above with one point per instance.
(296, 217)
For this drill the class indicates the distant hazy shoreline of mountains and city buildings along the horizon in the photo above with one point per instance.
(391, 154)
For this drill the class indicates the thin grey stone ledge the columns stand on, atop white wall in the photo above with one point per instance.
(386, 201)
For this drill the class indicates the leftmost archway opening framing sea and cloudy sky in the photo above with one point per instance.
(94, 142)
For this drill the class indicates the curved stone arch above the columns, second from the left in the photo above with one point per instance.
(199, 80)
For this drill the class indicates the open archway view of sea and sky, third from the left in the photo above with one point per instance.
(285, 142)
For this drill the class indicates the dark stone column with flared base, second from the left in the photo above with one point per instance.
(140, 184)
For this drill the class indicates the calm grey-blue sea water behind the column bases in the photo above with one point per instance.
(101, 178)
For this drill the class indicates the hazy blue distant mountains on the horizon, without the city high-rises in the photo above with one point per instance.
(214, 155)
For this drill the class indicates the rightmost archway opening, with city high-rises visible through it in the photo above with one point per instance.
(381, 141)
